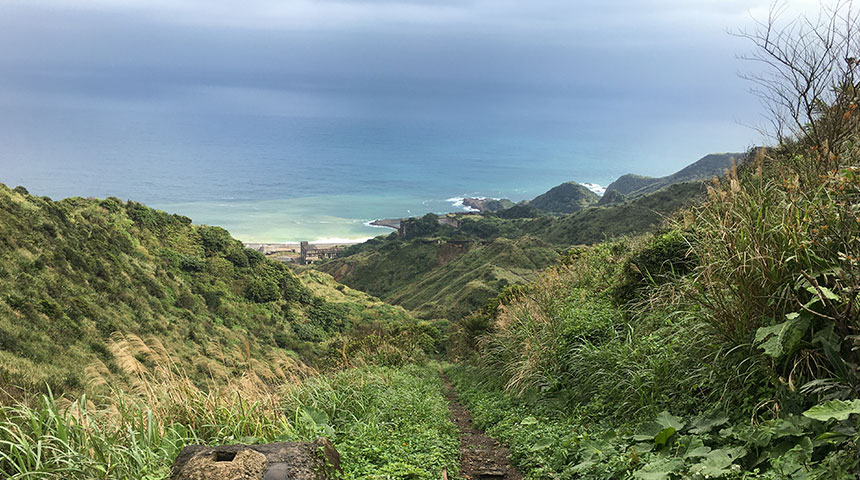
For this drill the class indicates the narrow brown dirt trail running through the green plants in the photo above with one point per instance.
(481, 457)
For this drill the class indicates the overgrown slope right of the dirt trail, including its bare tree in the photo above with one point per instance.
(724, 346)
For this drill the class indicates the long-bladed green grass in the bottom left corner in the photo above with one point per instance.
(52, 440)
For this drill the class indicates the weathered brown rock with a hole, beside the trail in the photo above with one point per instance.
(275, 461)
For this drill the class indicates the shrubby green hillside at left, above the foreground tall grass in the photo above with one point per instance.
(75, 272)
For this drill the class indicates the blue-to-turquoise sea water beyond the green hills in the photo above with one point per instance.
(291, 178)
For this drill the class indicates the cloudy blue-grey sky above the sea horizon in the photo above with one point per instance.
(378, 57)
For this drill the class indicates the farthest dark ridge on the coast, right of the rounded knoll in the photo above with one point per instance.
(715, 164)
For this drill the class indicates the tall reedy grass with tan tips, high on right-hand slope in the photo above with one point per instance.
(783, 238)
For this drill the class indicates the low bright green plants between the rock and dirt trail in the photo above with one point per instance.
(386, 422)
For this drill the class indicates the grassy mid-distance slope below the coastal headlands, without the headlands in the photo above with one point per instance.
(442, 280)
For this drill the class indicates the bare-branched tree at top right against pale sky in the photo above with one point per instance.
(809, 83)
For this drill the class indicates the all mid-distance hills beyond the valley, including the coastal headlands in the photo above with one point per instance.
(447, 271)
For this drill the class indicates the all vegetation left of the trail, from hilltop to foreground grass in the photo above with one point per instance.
(127, 333)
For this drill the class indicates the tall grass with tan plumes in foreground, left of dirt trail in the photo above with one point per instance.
(385, 421)
